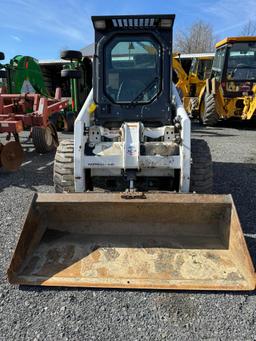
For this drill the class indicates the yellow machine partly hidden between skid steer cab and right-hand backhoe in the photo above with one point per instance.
(190, 84)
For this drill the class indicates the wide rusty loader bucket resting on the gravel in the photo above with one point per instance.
(163, 241)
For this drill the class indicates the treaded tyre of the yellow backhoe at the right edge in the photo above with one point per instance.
(209, 115)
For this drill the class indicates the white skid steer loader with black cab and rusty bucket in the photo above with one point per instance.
(132, 139)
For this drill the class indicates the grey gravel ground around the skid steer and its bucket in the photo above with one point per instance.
(37, 313)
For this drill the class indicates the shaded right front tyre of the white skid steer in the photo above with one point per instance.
(201, 174)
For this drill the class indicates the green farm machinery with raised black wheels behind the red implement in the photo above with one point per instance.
(23, 74)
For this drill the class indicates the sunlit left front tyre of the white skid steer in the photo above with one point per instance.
(63, 176)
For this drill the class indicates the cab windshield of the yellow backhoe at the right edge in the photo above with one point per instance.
(242, 61)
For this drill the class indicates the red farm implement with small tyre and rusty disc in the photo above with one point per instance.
(19, 112)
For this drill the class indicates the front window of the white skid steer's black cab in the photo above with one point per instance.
(132, 70)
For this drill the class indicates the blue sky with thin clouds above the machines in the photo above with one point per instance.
(42, 28)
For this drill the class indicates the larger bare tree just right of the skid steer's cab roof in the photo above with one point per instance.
(197, 38)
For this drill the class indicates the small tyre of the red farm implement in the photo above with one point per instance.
(44, 139)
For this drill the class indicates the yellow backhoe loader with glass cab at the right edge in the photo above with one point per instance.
(230, 92)
